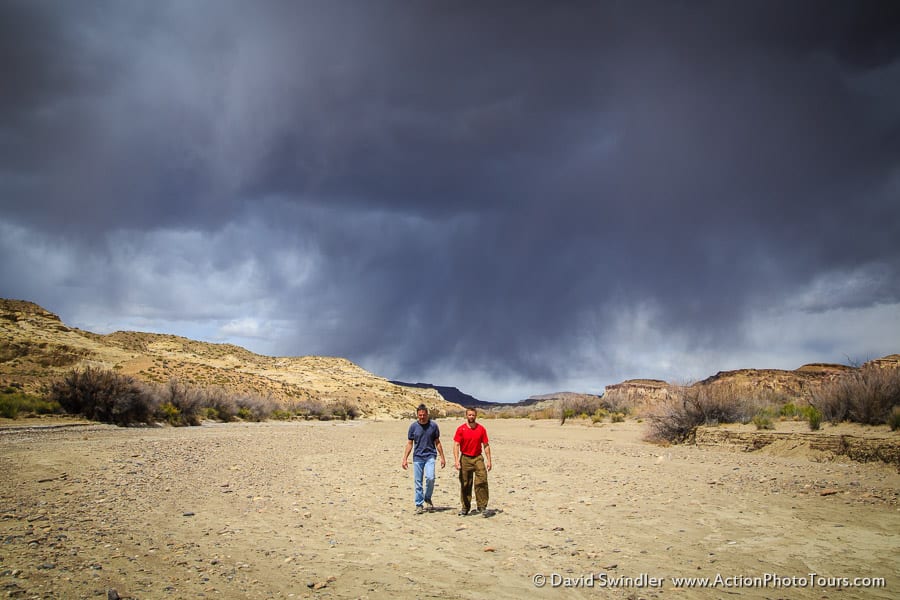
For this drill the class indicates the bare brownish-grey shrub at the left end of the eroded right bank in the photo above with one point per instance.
(676, 419)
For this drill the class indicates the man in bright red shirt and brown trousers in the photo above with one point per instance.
(470, 438)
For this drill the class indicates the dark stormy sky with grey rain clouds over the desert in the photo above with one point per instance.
(512, 198)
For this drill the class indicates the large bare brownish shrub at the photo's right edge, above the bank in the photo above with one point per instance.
(866, 395)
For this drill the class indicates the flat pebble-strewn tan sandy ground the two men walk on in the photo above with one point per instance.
(323, 510)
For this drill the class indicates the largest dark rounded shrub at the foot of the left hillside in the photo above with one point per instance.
(105, 396)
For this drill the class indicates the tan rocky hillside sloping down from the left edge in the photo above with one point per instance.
(36, 347)
